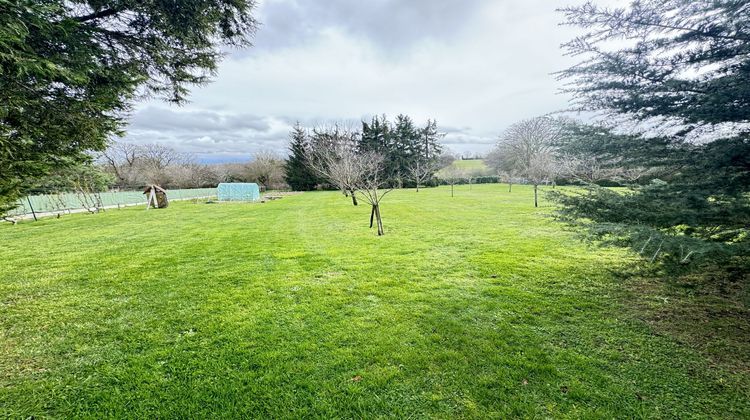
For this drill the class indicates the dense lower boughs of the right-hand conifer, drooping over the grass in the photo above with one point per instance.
(696, 210)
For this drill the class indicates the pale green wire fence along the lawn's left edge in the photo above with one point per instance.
(73, 202)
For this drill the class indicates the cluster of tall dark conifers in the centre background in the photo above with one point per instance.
(411, 154)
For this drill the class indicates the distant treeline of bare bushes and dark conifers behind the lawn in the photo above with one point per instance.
(411, 155)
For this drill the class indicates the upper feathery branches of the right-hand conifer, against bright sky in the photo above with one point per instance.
(685, 60)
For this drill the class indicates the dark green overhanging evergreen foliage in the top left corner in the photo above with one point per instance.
(69, 71)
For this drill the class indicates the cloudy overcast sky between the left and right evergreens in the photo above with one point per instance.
(476, 66)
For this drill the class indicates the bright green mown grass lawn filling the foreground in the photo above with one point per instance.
(475, 306)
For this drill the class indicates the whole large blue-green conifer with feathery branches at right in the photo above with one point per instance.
(676, 62)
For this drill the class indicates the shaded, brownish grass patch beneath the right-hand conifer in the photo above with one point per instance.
(707, 311)
